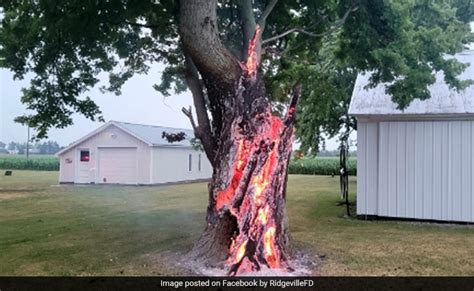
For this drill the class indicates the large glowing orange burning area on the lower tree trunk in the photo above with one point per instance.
(258, 242)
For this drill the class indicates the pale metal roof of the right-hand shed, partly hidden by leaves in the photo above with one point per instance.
(443, 101)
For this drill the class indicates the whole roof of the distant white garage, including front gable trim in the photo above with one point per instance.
(149, 134)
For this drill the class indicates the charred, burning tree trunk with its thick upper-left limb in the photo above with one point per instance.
(247, 224)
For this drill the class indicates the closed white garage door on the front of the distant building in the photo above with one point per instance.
(118, 165)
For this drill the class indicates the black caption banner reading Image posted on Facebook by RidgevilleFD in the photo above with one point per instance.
(241, 283)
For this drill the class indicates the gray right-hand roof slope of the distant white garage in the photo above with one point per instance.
(151, 134)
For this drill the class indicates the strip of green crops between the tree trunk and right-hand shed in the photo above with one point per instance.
(321, 166)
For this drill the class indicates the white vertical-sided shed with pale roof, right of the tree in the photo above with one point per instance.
(417, 163)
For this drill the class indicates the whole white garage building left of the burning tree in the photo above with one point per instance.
(126, 153)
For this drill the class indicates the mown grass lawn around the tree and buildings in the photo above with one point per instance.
(112, 230)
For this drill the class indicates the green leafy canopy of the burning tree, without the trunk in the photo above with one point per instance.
(65, 46)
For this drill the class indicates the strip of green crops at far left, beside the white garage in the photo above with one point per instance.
(34, 162)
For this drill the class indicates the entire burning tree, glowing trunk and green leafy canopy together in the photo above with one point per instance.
(234, 56)
